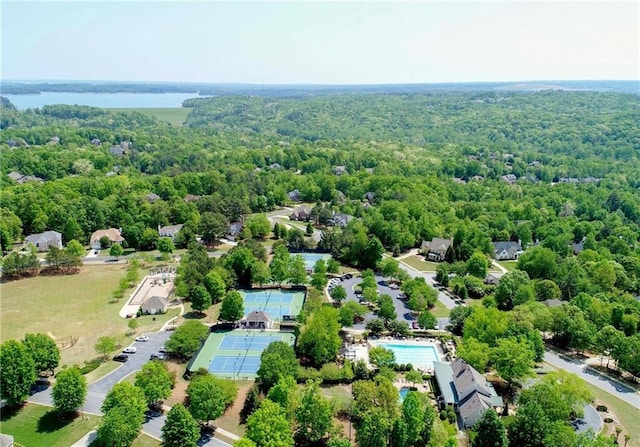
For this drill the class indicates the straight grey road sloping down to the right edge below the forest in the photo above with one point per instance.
(580, 368)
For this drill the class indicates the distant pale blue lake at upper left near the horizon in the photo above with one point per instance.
(103, 100)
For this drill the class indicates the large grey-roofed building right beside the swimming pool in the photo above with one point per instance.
(466, 390)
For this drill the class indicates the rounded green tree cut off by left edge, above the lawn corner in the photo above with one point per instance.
(17, 372)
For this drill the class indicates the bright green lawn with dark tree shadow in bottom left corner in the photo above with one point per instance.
(37, 425)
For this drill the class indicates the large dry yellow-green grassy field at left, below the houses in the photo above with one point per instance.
(77, 307)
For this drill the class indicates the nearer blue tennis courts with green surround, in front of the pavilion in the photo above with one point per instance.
(236, 354)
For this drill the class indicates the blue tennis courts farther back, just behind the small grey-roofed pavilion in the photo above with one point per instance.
(278, 304)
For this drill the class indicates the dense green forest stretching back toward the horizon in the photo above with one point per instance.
(548, 169)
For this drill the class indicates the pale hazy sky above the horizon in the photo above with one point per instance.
(331, 42)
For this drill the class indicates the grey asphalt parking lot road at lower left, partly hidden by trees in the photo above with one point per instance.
(97, 391)
